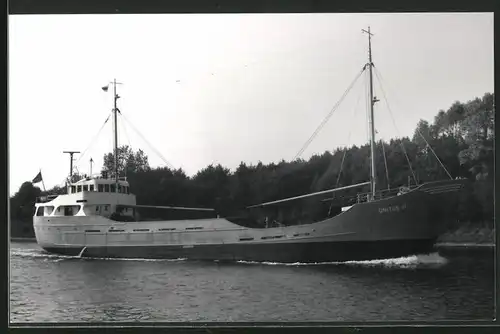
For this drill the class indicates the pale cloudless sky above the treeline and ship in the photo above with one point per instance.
(206, 89)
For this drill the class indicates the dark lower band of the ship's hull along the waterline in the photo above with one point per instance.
(313, 252)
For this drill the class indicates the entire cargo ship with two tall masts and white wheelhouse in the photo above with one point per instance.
(99, 217)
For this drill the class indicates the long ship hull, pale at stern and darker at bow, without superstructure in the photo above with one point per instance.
(388, 228)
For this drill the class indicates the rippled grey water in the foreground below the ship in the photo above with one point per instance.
(51, 288)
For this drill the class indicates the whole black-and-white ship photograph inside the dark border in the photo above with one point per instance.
(251, 168)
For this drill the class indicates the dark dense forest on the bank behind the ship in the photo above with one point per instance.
(460, 138)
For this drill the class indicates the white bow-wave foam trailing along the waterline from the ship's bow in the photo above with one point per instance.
(414, 261)
